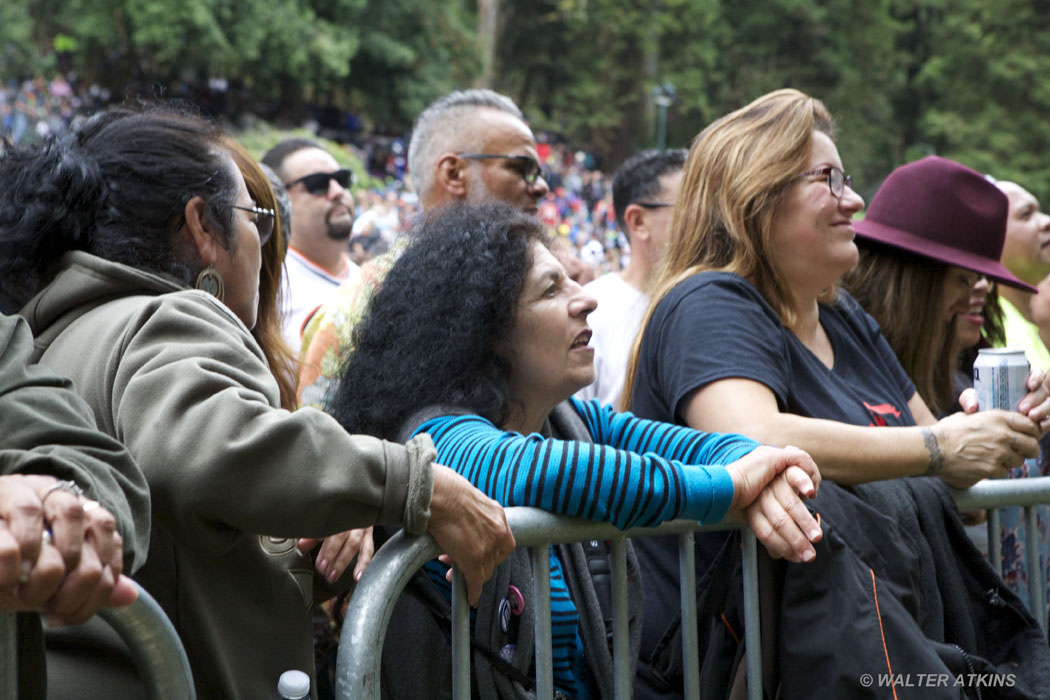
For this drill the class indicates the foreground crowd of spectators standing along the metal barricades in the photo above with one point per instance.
(272, 371)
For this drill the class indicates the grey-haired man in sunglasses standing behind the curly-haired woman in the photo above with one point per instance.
(470, 145)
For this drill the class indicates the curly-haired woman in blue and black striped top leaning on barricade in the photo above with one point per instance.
(479, 338)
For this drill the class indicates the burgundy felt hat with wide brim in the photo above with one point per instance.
(942, 210)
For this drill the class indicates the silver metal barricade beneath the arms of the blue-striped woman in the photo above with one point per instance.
(372, 606)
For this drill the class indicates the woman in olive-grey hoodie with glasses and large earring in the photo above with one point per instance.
(103, 236)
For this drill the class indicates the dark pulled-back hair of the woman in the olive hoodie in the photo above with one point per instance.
(117, 188)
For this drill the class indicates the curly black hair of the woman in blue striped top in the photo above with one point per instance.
(430, 334)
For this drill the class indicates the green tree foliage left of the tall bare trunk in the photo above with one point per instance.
(385, 57)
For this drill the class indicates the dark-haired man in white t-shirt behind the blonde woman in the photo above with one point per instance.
(644, 190)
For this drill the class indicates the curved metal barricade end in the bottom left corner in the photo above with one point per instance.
(153, 641)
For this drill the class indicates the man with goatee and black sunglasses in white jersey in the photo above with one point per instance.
(323, 217)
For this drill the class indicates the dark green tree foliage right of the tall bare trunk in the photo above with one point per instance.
(905, 78)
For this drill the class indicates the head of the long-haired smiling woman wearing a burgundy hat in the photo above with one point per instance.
(934, 231)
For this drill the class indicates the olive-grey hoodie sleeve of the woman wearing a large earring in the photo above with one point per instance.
(193, 397)
